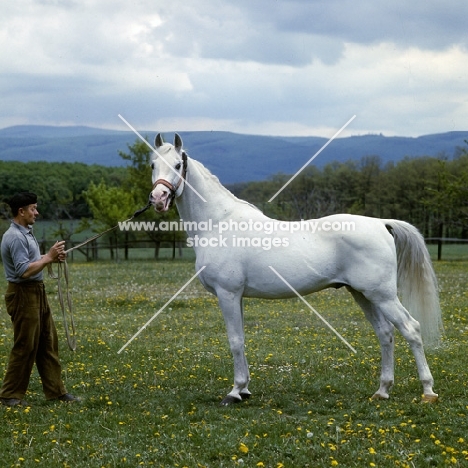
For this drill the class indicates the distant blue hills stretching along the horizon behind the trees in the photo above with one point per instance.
(232, 157)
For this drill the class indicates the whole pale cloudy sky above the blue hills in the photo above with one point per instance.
(275, 67)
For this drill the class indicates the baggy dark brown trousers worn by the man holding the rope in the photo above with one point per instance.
(35, 340)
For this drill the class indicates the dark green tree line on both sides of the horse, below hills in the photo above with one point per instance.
(429, 192)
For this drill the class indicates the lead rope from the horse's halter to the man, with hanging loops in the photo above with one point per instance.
(62, 271)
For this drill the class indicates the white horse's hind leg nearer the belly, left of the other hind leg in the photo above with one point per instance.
(384, 331)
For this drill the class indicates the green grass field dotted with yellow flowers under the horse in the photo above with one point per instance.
(157, 403)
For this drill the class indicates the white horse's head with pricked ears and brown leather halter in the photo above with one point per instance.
(169, 166)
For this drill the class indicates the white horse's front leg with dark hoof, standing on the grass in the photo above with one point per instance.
(232, 308)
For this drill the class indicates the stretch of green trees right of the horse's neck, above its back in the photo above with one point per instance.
(429, 192)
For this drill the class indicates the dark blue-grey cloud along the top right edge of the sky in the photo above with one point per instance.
(427, 24)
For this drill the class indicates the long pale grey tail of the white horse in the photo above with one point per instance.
(416, 280)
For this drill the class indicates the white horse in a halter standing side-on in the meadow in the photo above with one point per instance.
(239, 247)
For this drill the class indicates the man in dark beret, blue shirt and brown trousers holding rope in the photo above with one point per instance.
(35, 336)
